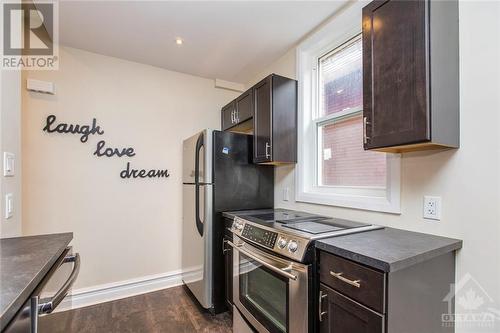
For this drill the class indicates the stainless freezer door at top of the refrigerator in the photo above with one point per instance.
(196, 151)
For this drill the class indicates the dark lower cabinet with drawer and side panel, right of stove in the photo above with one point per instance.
(412, 299)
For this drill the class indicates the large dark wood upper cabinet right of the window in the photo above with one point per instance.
(410, 75)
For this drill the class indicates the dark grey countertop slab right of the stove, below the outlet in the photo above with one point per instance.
(389, 249)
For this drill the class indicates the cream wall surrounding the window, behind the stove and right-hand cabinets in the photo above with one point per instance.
(468, 179)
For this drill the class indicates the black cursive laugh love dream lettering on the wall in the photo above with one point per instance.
(101, 149)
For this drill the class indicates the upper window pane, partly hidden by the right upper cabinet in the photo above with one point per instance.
(340, 79)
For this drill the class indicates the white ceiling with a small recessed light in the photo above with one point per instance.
(229, 40)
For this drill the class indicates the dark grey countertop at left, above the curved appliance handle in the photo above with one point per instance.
(24, 262)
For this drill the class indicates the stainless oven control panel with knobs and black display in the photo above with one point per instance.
(290, 246)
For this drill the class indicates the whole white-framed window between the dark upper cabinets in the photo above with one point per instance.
(333, 167)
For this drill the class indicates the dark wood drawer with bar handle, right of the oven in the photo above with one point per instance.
(365, 285)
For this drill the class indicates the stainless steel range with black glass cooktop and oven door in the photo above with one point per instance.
(273, 263)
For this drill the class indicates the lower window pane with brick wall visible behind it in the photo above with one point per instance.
(343, 161)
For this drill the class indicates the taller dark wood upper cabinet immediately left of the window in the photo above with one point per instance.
(275, 120)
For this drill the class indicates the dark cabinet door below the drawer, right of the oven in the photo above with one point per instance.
(340, 314)
